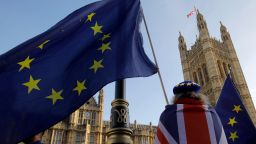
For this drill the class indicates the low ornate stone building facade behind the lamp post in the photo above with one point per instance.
(86, 126)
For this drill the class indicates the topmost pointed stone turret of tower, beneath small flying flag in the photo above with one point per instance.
(202, 26)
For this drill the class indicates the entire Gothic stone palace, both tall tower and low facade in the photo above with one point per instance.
(207, 63)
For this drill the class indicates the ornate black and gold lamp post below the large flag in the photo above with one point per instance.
(120, 132)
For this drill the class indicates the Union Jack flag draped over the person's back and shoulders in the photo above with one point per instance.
(189, 124)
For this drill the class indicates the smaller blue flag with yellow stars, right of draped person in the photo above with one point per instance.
(238, 127)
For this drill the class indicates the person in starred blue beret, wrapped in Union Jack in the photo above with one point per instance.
(190, 119)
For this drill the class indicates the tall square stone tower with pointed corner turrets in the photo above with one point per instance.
(208, 62)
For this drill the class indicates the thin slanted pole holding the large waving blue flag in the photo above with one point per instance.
(155, 59)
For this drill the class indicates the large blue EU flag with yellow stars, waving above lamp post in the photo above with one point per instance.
(46, 78)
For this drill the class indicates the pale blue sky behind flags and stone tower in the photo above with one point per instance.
(22, 20)
